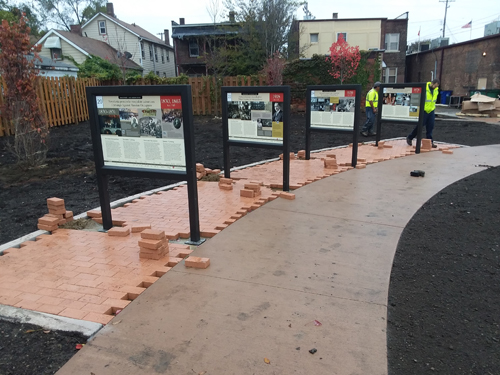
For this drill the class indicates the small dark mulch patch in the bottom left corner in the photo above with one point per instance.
(24, 352)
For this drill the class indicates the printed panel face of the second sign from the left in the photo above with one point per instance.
(256, 117)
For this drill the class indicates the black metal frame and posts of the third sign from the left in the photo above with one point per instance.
(355, 92)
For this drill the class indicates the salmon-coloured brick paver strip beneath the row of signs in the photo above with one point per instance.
(92, 275)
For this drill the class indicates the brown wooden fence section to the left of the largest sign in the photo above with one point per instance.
(62, 101)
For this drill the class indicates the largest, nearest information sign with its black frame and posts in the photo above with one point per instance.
(146, 131)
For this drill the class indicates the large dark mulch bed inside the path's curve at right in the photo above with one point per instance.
(444, 297)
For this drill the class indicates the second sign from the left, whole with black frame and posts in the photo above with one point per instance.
(240, 131)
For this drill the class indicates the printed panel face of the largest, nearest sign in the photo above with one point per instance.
(142, 132)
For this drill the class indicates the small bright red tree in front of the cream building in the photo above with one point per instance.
(344, 59)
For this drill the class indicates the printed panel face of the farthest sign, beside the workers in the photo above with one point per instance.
(401, 103)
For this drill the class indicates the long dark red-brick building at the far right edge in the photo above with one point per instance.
(471, 65)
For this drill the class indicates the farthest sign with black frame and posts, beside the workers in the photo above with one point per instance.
(405, 92)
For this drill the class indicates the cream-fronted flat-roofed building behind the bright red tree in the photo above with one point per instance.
(387, 36)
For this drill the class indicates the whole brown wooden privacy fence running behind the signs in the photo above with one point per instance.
(63, 100)
